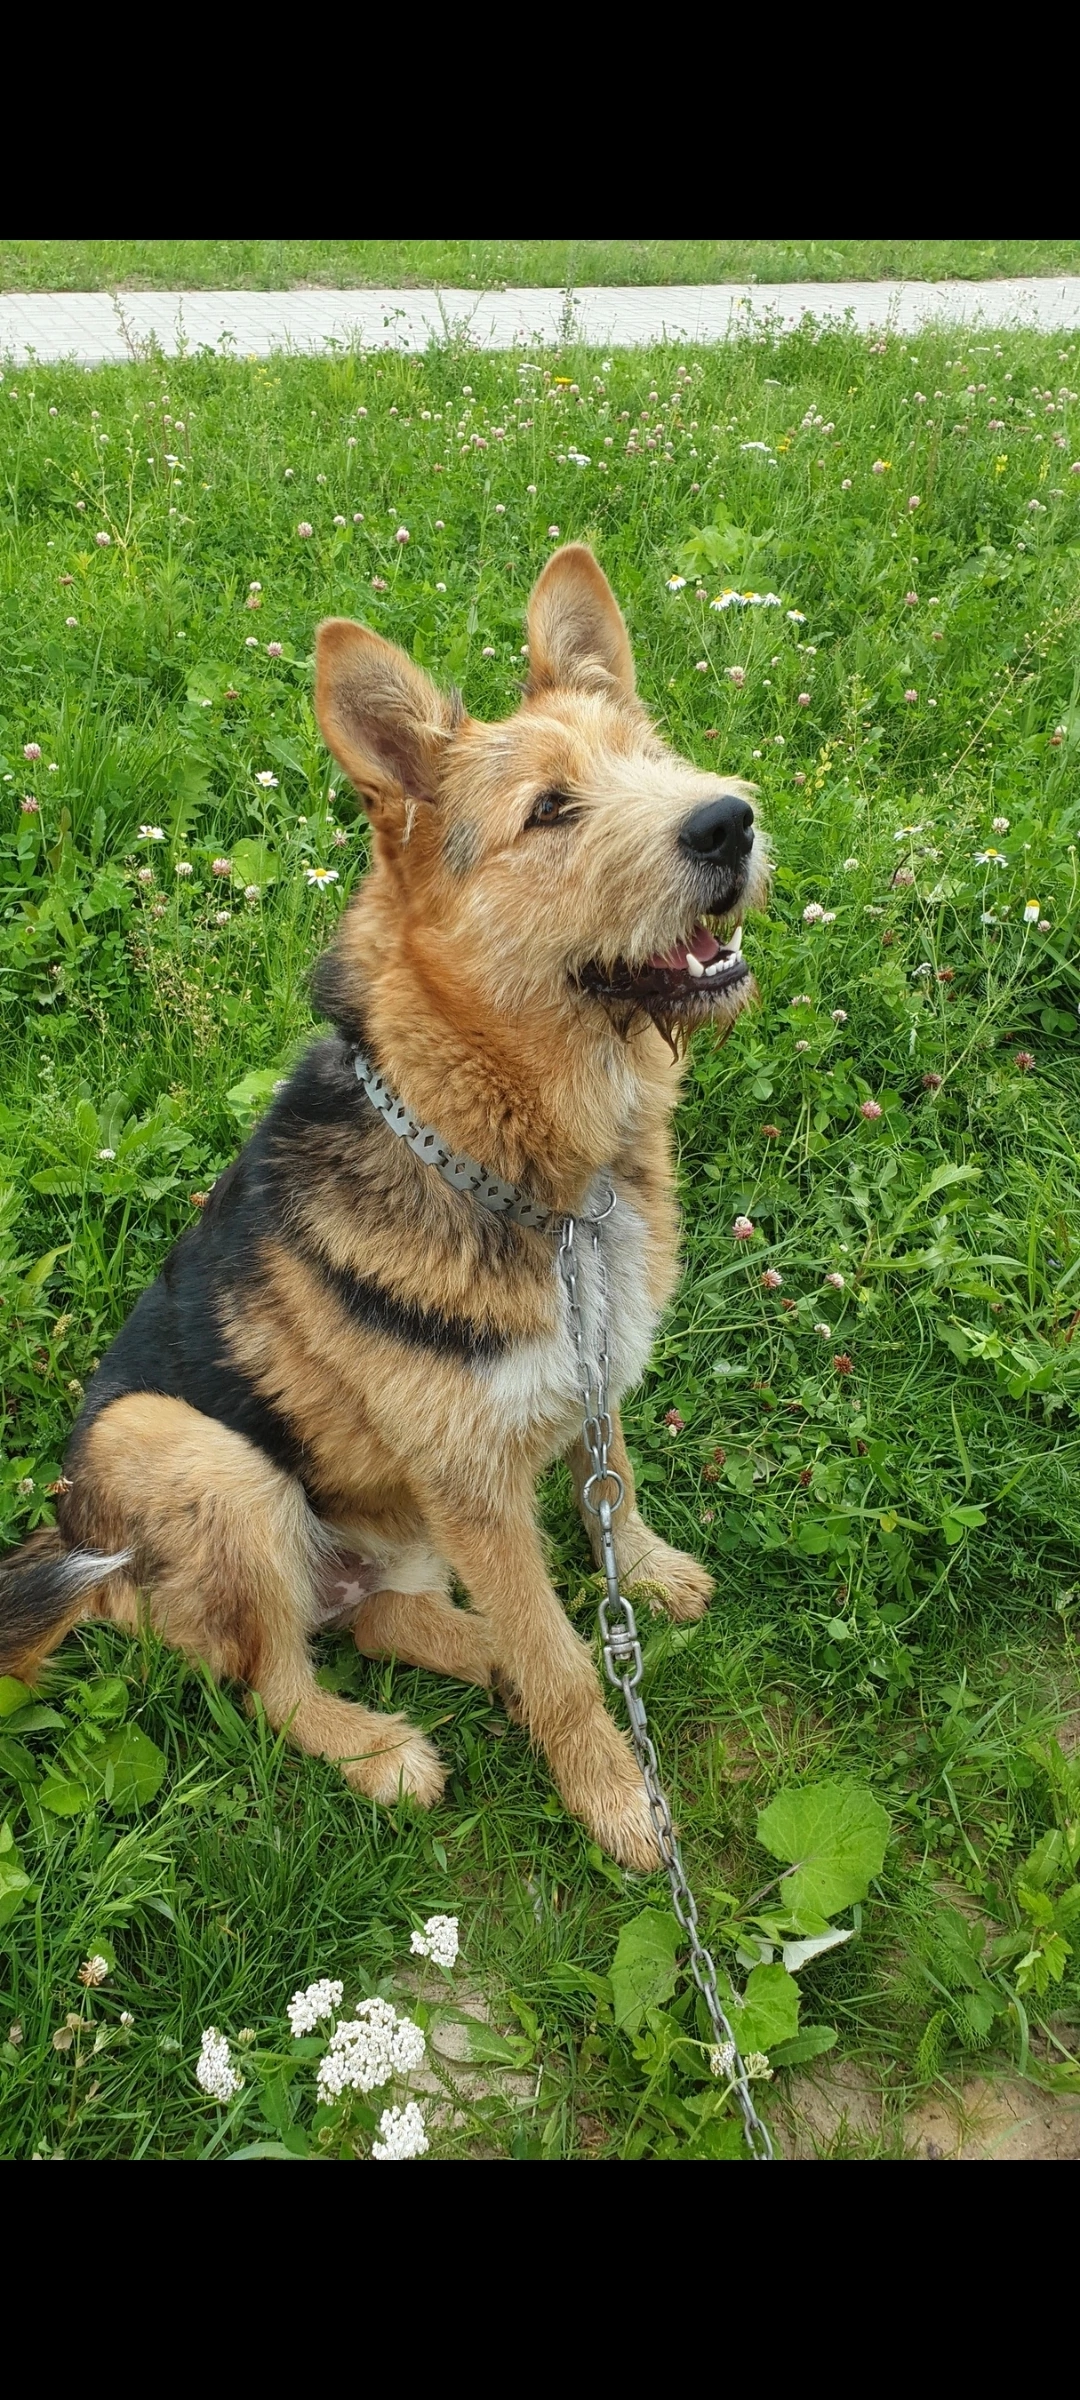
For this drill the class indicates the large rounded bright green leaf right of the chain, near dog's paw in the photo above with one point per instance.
(834, 1837)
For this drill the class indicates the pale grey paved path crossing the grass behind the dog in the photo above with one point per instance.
(100, 330)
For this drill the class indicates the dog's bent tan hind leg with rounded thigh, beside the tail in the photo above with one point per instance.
(229, 1552)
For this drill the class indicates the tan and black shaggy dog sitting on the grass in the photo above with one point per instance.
(349, 1376)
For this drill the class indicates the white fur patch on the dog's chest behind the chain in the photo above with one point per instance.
(536, 1384)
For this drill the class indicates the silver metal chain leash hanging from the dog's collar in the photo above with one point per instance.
(623, 1648)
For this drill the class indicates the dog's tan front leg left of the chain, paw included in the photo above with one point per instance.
(500, 1561)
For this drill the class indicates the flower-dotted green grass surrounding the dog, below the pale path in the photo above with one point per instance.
(896, 1547)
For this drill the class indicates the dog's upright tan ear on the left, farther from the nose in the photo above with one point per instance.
(380, 716)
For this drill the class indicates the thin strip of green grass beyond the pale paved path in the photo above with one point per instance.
(83, 268)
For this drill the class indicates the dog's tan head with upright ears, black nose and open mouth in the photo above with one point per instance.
(560, 863)
